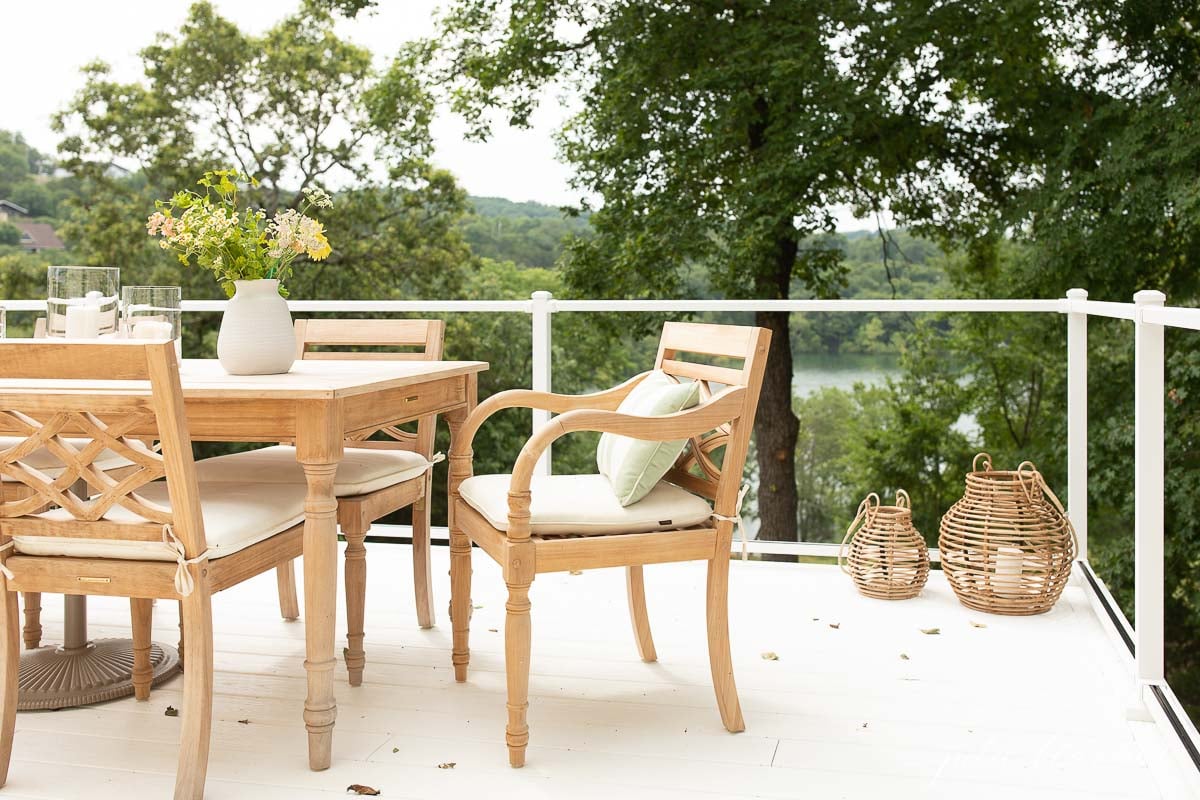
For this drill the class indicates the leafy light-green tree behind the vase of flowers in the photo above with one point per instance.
(296, 107)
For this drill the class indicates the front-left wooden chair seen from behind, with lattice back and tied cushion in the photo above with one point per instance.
(154, 533)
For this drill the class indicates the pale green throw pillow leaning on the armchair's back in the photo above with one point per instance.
(635, 466)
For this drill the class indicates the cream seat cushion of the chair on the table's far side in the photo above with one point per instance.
(361, 472)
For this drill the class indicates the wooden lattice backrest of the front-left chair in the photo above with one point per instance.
(146, 402)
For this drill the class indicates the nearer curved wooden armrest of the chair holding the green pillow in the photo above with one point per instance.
(723, 407)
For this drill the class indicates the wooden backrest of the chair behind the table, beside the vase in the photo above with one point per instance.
(425, 336)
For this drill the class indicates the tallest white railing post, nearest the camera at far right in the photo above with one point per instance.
(1149, 472)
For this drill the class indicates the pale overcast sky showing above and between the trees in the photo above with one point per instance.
(47, 41)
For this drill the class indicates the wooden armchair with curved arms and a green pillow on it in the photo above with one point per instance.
(533, 525)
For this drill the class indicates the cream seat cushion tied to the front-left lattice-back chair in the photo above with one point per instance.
(236, 516)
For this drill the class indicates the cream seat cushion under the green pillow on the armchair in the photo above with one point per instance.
(585, 504)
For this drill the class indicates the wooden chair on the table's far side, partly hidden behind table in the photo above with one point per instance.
(375, 479)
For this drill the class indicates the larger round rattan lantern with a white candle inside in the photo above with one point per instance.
(1007, 546)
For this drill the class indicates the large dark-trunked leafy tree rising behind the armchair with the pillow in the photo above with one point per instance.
(722, 134)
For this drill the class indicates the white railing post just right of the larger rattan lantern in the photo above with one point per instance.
(1077, 420)
